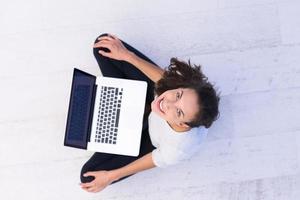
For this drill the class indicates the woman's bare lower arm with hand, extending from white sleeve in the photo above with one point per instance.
(104, 178)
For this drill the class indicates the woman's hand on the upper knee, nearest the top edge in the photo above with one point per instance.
(117, 50)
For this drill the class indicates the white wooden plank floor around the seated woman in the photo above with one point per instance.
(249, 49)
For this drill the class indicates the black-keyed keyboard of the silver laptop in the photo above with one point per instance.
(108, 115)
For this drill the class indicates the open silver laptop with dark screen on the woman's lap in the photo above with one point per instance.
(105, 114)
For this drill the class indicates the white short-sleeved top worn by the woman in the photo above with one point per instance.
(173, 147)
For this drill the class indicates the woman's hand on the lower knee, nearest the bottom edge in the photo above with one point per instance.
(102, 179)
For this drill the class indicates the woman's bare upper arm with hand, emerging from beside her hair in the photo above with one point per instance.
(119, 52)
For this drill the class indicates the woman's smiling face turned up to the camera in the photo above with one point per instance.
(176, 106)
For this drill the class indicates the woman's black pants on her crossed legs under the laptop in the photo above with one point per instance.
(121, 69)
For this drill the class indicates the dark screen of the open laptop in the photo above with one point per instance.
(80, 109)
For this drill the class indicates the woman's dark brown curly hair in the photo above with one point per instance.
(180, 74)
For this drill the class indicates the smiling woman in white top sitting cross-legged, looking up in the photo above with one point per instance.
(180, 105)
